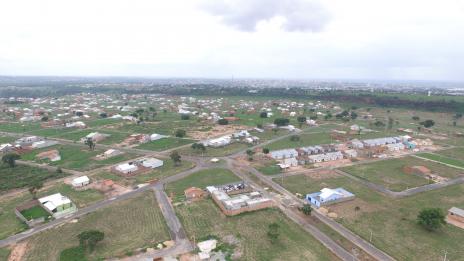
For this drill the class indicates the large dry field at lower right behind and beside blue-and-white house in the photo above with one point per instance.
(392, 221)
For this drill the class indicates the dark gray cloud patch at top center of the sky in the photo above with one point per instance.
(244, 15)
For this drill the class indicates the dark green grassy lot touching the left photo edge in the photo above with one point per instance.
(22, 176)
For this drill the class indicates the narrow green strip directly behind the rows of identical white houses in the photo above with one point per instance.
(306, 139)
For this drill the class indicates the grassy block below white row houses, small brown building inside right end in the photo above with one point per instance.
(390, 174)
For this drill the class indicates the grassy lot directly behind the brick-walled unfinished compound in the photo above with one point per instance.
(201, 179)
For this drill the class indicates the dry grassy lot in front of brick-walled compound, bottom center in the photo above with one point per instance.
(202, 219)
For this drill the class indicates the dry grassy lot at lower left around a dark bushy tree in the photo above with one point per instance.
(128, 225)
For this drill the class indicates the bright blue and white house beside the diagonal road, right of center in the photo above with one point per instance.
(329, 196)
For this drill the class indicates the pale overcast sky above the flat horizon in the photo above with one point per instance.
(284, 39)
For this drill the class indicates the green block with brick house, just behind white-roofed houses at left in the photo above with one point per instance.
(77, 157)
